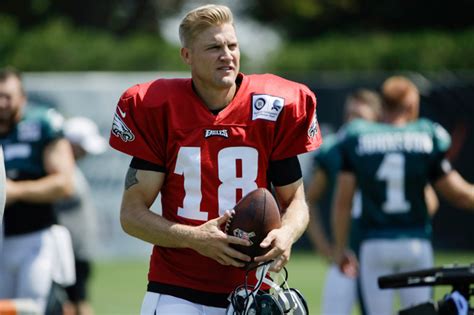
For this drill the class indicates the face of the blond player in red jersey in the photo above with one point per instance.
(214, 57)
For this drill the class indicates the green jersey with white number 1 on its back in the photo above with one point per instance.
(392, 165)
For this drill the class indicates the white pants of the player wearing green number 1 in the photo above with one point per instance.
(384, 257)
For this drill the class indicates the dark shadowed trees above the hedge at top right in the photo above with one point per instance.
(304, 19)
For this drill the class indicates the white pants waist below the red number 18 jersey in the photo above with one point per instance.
(161, 304)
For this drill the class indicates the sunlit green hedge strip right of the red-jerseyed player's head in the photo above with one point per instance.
(417, 51)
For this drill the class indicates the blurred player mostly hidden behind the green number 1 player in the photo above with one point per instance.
(339, 293)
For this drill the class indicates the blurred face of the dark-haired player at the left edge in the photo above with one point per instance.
(12, 101)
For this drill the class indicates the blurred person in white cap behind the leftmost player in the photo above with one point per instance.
(78, 213)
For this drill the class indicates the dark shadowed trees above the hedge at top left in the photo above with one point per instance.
(120, 17)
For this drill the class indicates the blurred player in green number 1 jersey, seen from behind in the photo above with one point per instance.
(391, 163)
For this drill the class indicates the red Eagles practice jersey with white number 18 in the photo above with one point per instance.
(211, 161)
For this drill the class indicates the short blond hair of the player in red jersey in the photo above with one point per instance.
(201, 18)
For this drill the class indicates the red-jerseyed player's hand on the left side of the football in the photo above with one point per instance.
(212, 242)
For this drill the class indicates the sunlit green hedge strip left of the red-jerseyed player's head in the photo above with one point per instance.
(58, 46)
